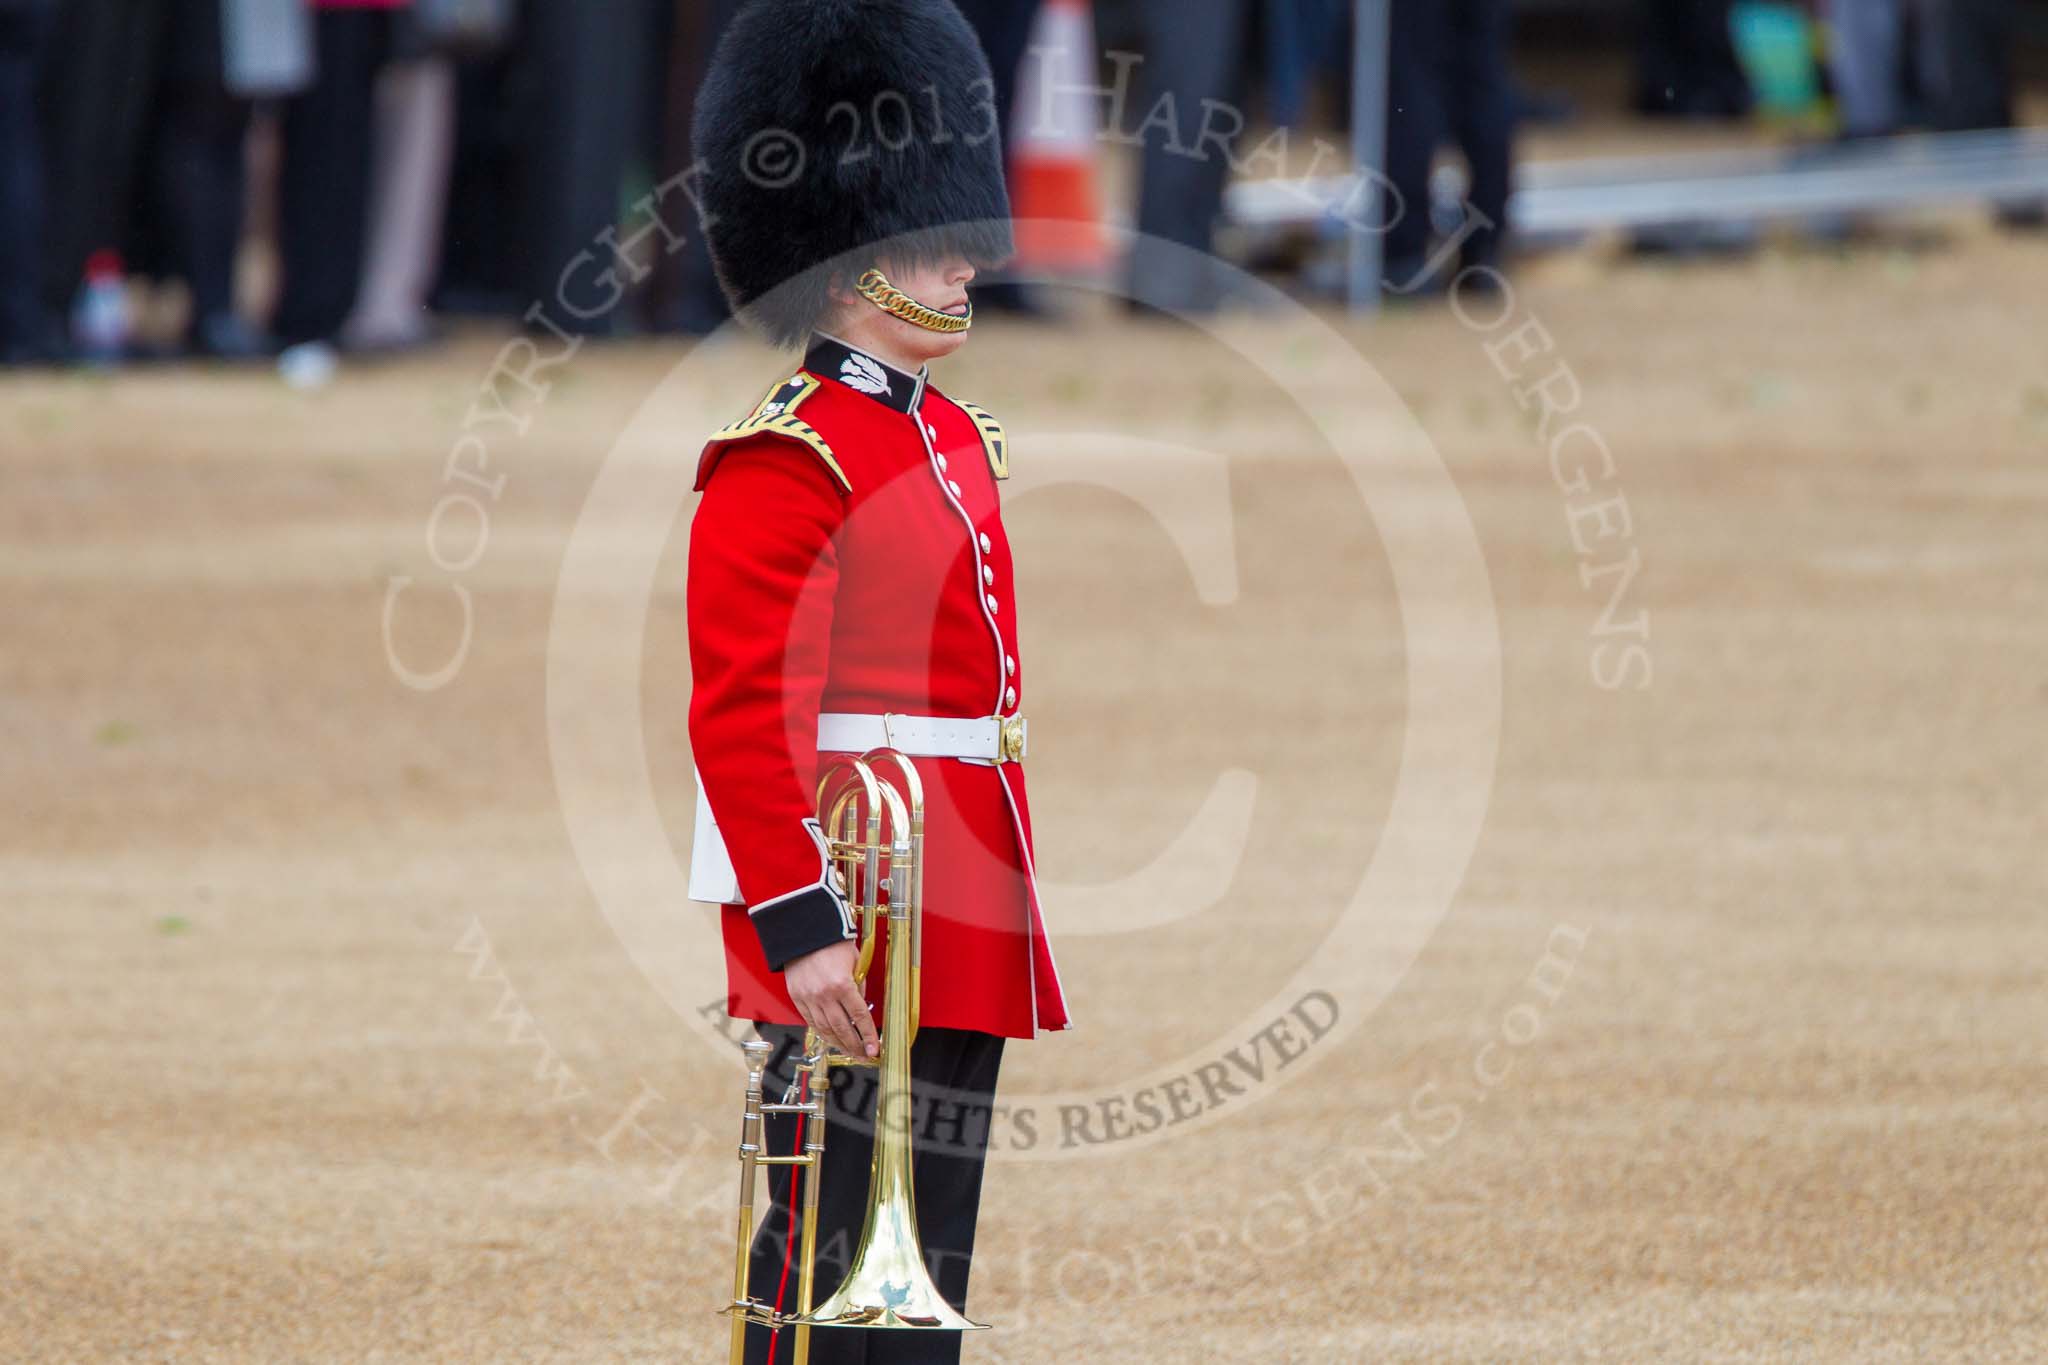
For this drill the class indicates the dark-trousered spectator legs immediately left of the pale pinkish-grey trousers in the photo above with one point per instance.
(325, 177)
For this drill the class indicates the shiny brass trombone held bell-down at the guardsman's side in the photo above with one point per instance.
(876, 848)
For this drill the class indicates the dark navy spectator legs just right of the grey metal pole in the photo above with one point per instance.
(1449, 83)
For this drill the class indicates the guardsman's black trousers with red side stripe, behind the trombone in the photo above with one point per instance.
(953, 1082)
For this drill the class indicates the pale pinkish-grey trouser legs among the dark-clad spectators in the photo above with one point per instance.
(415, 146)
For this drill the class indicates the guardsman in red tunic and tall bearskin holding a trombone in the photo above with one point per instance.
(851, 588)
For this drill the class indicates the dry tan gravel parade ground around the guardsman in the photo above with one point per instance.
(1461, 973)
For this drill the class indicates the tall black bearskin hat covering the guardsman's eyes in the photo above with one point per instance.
(833, 128)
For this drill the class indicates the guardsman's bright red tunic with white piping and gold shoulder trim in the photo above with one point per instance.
(849, 556)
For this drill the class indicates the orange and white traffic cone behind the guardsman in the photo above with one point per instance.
(1054, 159)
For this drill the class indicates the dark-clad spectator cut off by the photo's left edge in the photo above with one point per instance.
(24, 331)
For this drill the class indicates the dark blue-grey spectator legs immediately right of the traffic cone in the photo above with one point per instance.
(1195, 52)
